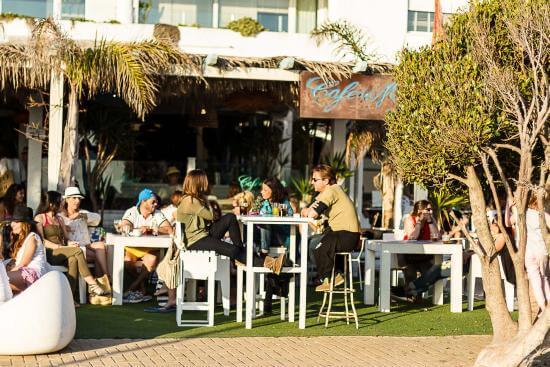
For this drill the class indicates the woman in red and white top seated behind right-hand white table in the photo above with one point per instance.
(420, 225)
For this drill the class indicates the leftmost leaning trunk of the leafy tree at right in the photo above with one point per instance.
(504, 327)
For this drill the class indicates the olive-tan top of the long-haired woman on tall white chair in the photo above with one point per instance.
(195, 217)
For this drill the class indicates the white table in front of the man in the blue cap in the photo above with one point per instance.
(119, 242)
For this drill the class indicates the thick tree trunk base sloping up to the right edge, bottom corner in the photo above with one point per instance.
(516, 350)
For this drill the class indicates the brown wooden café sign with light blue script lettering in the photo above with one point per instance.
(362, 97)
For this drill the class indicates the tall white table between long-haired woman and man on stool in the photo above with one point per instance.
(293, 222)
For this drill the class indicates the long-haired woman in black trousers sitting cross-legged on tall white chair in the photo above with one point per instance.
(201, 233)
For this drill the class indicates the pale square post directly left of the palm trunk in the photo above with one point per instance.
(55, 138)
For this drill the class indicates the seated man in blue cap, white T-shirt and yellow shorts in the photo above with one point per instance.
(143, 216)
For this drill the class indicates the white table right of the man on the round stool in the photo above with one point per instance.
(387, 248)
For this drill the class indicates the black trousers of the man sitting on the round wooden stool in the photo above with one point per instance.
(331, 243)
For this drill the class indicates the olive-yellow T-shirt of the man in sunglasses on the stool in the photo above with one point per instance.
(341, 211)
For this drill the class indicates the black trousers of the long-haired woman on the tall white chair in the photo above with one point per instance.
(213, 242)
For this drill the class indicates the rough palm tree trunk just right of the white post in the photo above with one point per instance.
(69, 152)
